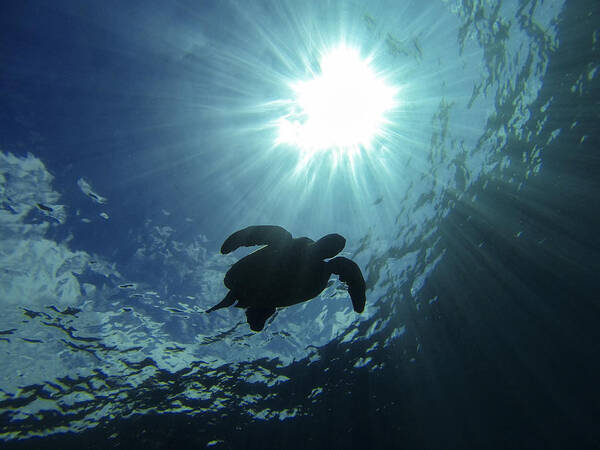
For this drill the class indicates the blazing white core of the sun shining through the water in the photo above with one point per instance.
(343, 108)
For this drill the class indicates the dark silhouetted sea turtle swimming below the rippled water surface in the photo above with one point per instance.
(285, 272)
